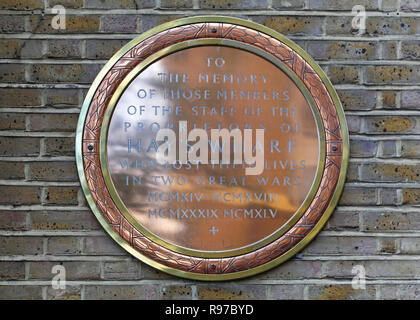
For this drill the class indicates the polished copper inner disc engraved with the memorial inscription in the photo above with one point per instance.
(212, 207)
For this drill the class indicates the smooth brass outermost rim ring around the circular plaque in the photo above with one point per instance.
(260, 268)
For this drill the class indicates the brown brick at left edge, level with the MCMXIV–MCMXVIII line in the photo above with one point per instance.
(17, 195)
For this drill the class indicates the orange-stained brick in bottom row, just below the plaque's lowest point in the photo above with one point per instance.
(231, 292)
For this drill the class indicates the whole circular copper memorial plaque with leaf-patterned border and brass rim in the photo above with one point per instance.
(212, 148)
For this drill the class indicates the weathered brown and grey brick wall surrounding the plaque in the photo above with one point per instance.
(44, 219)
